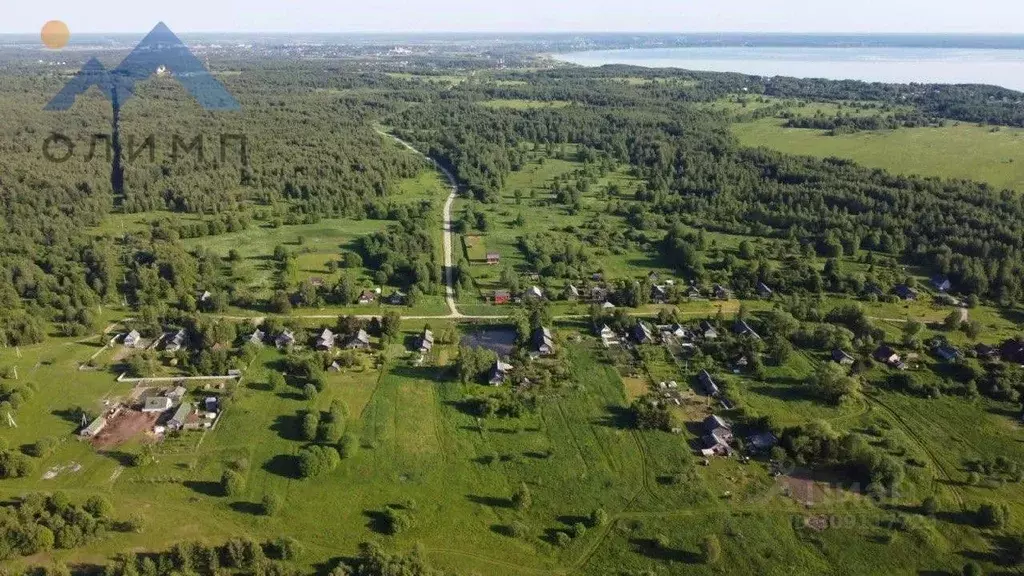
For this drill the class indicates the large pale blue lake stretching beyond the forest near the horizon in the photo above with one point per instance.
(952, 66)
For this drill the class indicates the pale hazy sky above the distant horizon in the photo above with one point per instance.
(21, 17)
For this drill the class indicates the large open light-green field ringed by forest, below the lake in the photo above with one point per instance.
(963, 151)
